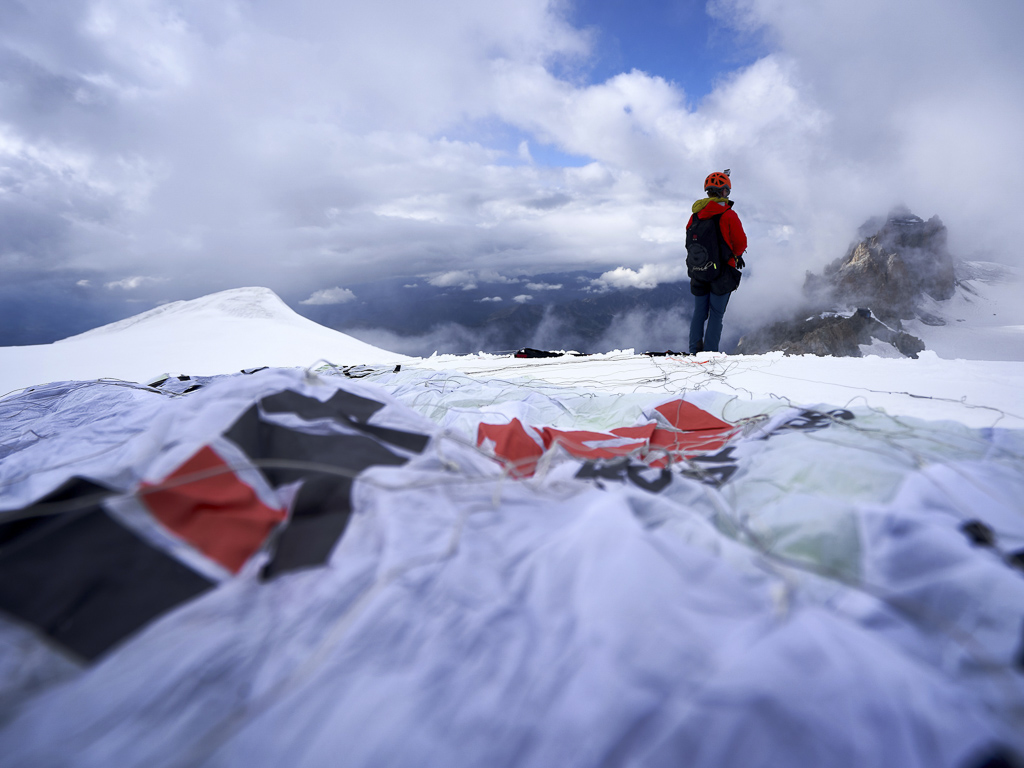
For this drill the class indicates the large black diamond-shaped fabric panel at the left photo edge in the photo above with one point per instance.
(86, 581)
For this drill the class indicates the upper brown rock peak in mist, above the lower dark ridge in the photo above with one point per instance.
(890, 271)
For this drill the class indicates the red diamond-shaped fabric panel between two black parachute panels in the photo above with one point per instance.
(217, 513)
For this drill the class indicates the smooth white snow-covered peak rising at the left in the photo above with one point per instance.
(222, 333)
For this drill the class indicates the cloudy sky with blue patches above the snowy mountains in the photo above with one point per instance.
(163, 150)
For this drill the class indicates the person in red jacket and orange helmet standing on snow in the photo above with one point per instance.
(715, 244)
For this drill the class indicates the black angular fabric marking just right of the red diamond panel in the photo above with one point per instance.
(323, 506)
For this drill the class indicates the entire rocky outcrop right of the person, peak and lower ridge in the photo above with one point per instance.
(885, 277)
